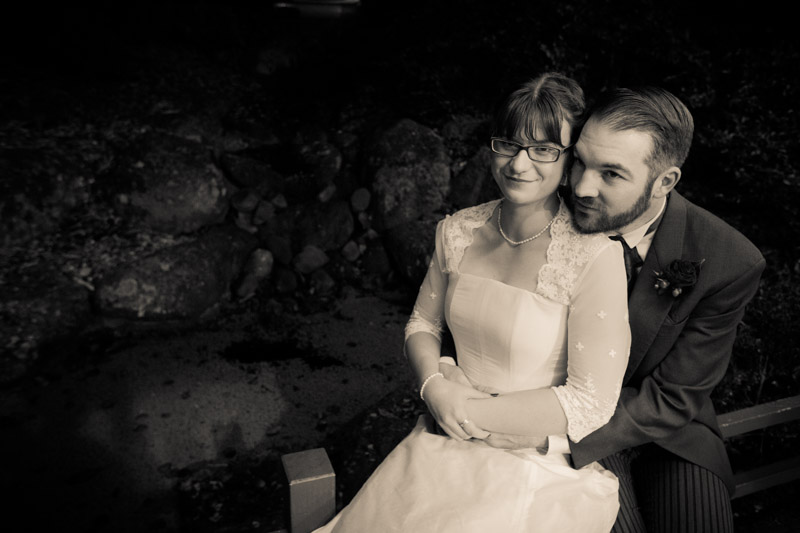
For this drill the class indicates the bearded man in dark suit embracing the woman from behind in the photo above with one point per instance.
(690, 277)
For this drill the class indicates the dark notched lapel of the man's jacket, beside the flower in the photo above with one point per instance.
(646, 308)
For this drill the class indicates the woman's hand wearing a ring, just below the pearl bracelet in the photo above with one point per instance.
(447, 402)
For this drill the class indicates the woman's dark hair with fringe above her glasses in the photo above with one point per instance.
(542, 104)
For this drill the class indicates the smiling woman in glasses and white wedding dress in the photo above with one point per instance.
(538, 313)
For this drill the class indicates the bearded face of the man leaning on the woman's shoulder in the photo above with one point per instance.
(610, 179)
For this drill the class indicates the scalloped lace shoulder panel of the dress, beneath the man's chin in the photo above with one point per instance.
(568, 255)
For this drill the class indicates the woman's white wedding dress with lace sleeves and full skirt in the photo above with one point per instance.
(571, 334)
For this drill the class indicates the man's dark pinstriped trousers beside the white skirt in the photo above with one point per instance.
(659, 493)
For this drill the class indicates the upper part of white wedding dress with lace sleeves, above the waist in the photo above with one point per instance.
(571, 334)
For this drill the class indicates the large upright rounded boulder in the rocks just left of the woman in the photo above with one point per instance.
(411, 173)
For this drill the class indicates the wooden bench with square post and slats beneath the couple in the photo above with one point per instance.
(312, 480)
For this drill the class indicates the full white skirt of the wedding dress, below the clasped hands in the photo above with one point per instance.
(434, 483)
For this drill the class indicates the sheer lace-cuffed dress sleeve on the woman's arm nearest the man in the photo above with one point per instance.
(599, 342)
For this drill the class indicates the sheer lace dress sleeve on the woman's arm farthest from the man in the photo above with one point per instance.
(428, 313)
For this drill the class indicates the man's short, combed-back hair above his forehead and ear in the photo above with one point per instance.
(655, 111)
